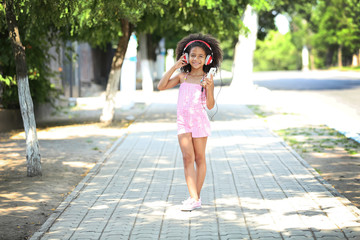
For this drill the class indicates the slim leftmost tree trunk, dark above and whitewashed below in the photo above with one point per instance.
(26, 104)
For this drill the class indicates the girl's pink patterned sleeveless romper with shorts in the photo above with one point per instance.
(191, 113)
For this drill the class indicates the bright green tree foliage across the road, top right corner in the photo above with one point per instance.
(323, 26)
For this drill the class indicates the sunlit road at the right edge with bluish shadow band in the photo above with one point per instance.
(331, 96)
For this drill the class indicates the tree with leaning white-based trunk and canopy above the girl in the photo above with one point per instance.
(97, 22)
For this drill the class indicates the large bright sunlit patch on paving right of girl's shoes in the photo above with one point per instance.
(288, 213)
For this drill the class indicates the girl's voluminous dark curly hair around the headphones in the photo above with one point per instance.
(217, 53)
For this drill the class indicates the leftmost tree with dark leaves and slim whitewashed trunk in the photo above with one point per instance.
(32, 31)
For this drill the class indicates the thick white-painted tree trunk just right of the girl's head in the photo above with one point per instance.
(244, 52)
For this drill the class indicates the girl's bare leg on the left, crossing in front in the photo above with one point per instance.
(187, 149)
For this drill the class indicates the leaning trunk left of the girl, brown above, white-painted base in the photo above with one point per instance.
(114, 76)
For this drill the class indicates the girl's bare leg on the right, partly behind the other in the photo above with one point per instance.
(200, 160)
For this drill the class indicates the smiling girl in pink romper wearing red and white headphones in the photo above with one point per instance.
(195, 55)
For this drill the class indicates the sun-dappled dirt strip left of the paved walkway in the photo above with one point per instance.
(67, 154)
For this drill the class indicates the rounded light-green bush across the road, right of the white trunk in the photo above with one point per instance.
(276, 52)
